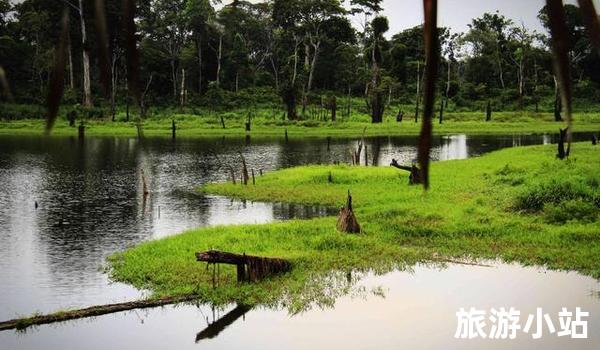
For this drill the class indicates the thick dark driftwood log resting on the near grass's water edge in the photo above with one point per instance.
(249, 268)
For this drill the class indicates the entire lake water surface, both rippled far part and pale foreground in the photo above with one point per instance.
(65, 205)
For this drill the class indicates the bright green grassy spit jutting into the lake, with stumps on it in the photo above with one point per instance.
(518, 204)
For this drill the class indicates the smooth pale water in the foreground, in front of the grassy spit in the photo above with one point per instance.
(415, 310)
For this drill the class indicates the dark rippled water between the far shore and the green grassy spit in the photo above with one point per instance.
(90, 204)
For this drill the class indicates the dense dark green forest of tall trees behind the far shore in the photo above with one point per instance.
(290, 52)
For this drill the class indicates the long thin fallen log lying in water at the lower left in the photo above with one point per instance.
(99, 310)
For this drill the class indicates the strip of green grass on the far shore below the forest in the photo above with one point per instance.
(266, 125)
